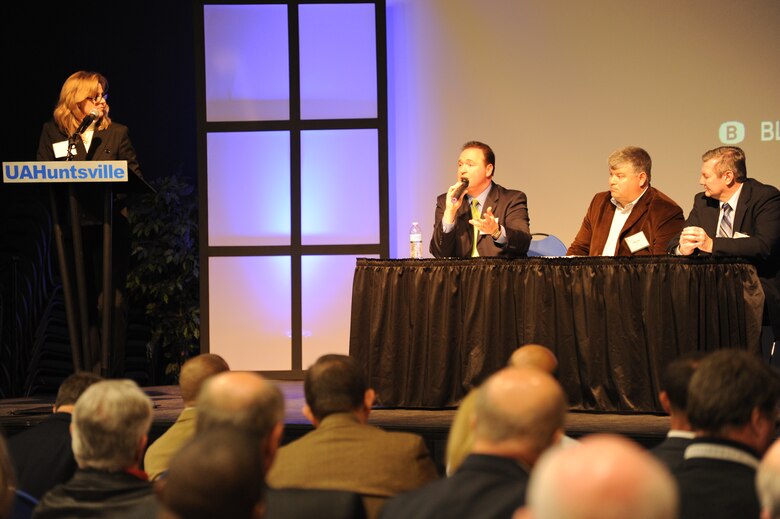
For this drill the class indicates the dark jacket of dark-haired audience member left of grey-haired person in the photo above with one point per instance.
(42, 455)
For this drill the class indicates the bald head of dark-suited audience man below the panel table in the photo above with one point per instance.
(519, 413)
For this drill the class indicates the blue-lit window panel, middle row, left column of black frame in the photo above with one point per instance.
(249, 188)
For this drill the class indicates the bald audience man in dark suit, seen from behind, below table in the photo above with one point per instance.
(519, 414)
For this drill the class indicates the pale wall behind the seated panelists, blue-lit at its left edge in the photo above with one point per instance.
(554, 86)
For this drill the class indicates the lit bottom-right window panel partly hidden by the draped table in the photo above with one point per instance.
(327, 300)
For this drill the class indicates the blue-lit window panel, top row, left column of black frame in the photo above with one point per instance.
(247, 62)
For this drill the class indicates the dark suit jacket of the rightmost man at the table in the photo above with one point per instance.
(758, 216)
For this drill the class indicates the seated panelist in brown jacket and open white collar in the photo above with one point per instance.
(632, 218)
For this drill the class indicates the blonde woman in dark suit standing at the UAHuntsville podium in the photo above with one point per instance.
(81, 129)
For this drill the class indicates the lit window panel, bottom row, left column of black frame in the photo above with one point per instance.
(249, 311)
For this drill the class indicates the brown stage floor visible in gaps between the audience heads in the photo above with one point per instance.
(433, 425)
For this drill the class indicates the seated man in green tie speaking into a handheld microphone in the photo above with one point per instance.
(503, 228)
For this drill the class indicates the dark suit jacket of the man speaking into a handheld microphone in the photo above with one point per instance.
(511, 208)
